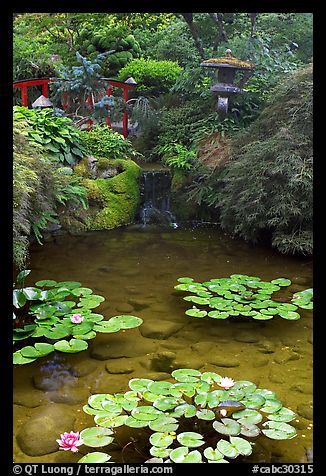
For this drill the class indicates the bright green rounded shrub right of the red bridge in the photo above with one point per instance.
(152, 77)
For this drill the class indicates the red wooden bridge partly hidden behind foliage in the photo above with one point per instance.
(110, 85)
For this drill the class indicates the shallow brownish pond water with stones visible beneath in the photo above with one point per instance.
(136, 269)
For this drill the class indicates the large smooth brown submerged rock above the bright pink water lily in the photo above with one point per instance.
(38, 435)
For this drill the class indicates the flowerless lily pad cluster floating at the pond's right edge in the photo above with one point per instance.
(242, 295)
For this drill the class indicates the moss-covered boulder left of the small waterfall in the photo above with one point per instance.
(112, 191)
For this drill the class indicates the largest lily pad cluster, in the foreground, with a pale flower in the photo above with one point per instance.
(194, 419)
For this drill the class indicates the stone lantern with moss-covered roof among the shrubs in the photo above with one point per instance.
(225, 88)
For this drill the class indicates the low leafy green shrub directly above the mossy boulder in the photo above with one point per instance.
(102, 141)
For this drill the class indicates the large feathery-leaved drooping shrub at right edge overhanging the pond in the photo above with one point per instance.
(268, 189)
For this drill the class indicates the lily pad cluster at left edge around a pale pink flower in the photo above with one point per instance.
(52, 312)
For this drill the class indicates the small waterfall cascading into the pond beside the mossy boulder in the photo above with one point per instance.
(155, 189)
